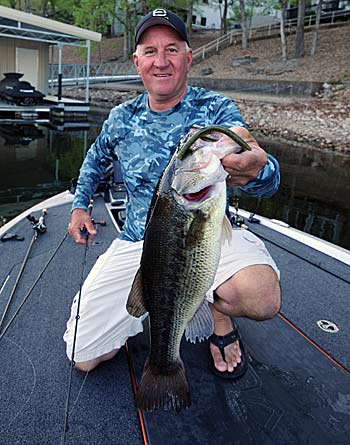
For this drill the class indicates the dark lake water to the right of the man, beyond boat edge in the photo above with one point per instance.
(314, 192)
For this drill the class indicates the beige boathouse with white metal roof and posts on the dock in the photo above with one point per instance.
(27, 45)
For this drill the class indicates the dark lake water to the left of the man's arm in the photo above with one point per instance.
(37, 161)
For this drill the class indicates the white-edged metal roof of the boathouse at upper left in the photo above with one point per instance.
(21, 25)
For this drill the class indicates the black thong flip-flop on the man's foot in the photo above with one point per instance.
(223, 340)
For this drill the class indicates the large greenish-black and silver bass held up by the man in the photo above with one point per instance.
(185, 228)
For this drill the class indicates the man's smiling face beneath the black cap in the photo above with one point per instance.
(163, 63)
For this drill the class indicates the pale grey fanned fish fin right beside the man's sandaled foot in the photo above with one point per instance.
(201, 326)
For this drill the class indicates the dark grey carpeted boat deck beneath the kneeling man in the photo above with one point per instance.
(297, 389)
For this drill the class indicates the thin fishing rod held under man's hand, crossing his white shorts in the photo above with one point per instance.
(85, 234)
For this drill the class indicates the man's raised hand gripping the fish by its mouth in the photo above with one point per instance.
(244, 166)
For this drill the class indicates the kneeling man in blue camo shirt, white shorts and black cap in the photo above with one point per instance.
(143, 133)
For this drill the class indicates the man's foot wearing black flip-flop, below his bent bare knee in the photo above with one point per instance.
(226, 348)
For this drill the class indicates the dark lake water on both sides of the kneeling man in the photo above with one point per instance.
(37, 161)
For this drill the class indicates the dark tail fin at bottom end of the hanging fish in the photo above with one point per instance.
(163, 391)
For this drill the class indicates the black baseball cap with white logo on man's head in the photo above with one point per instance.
(161, 16)
